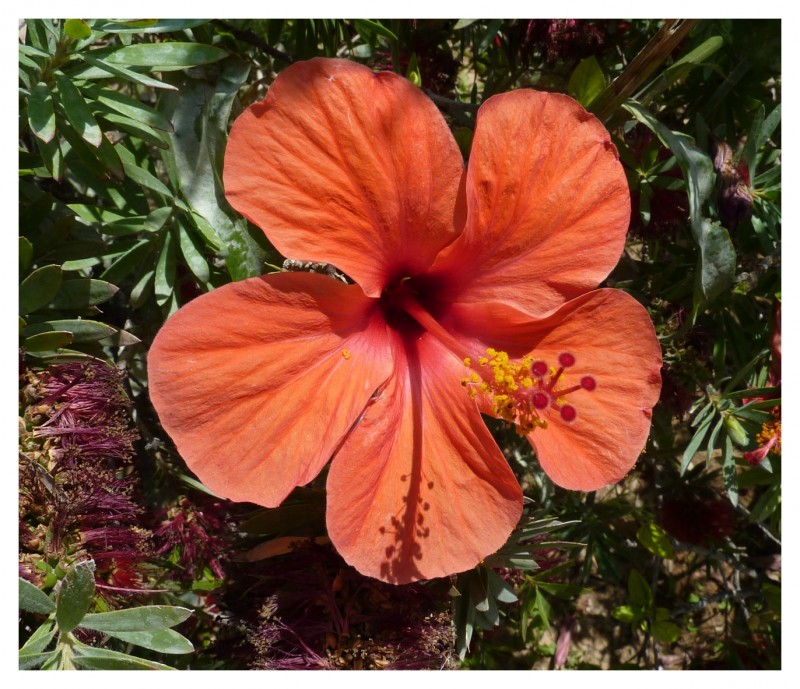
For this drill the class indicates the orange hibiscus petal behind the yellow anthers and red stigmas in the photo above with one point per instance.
(612, 340)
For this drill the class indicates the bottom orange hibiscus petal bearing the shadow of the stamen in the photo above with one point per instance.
(420, 489)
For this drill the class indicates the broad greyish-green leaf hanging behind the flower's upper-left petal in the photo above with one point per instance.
(200, 115)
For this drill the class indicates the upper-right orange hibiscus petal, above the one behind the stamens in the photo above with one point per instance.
(548, 205)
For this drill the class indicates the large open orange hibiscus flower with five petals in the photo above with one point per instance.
(471, 294)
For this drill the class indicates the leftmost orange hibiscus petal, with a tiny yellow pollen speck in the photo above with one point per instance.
(258, 381)
